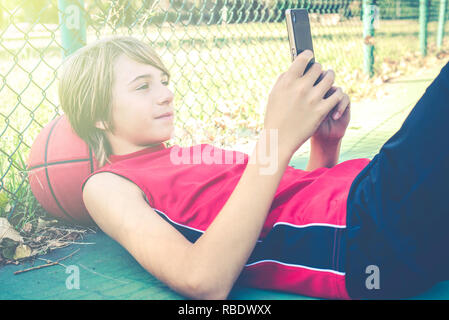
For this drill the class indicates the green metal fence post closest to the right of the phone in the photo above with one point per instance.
(368, 35)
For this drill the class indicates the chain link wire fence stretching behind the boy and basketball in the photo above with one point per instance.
(224, 57)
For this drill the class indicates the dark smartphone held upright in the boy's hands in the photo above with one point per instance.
(299, 35)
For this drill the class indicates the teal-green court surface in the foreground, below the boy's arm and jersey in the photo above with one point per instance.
(107, 271)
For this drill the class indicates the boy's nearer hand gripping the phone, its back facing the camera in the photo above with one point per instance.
(295, 97)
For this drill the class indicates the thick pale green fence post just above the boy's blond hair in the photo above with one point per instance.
(73, 25)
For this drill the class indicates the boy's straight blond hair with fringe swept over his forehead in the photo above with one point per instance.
(85, 87)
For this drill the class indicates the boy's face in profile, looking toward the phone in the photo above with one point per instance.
(140, 94)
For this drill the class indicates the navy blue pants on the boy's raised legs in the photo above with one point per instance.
(397, 236)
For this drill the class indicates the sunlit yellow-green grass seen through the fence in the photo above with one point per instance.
(221, 77)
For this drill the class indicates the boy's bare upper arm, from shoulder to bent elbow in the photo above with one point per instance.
(118, 207)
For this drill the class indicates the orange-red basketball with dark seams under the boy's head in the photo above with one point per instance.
(58, 163)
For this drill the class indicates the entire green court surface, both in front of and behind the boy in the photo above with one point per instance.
(107, 271)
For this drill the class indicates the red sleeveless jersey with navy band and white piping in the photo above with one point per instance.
(299, 249)
